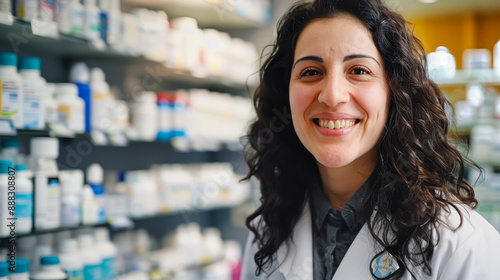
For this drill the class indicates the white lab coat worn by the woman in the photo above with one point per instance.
(470, 253)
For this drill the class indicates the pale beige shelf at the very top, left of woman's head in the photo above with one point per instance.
(219, 14)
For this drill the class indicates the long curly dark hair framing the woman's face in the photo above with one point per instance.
(423, 174)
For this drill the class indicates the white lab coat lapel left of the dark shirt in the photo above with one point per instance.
(295, 257)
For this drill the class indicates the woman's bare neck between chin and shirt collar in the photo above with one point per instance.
(339, 184)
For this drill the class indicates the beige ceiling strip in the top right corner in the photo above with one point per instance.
(415, 8)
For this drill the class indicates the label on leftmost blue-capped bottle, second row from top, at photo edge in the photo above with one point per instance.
(11, 101)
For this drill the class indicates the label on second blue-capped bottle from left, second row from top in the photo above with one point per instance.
(31, 108)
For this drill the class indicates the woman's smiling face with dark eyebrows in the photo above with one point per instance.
(339, 96)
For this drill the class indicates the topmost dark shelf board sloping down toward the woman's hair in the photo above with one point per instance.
(19, 38)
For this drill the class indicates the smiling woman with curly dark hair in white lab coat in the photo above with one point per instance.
(363, 183)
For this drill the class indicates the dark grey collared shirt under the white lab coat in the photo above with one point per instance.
(335, 230)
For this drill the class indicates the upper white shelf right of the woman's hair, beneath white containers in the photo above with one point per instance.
(467, 76)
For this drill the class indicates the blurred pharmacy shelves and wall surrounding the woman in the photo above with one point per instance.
(120, 127)
